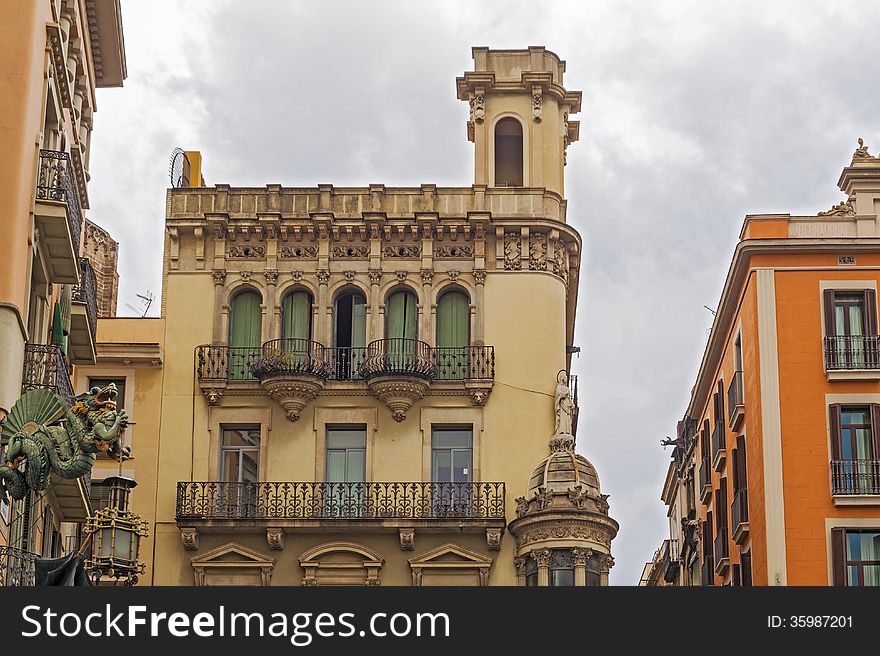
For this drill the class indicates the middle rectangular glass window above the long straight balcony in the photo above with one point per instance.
(346, 471)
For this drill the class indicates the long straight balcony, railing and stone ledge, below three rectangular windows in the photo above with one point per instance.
(384, 506)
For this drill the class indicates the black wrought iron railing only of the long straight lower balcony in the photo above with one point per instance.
(339, 501)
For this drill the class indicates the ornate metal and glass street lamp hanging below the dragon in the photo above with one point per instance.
(116, 533)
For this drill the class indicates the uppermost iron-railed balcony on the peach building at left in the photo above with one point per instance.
(58, 217)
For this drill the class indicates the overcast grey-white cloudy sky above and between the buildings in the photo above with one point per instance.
(694, 114)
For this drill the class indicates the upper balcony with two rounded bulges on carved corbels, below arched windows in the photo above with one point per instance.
(383, 365)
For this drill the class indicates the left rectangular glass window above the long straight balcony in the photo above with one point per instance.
(240, 470)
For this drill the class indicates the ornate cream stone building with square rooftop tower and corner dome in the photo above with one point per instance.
(356, 382)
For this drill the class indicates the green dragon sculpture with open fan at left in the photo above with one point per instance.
(44, 435)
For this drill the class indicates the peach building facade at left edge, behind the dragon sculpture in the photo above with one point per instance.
(54, 54)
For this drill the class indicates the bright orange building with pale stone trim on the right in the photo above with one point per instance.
(775, 472)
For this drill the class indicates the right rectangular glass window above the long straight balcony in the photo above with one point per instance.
(451, 469)
